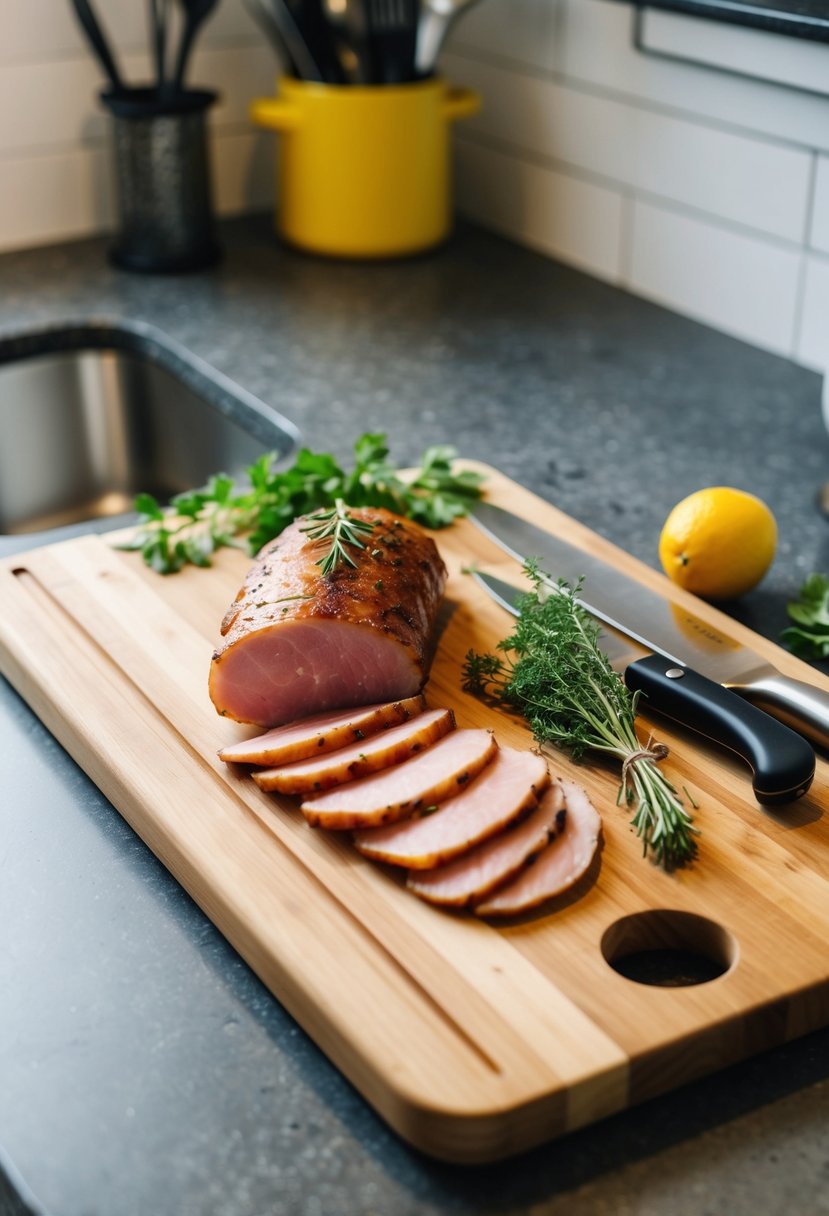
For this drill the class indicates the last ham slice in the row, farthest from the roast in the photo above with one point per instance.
(559, 866)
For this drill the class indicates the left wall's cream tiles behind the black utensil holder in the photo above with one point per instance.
(55, 157)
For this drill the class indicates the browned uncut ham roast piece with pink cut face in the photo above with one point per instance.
(298, 643)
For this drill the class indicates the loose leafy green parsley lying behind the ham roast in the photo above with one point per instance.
(200, 522)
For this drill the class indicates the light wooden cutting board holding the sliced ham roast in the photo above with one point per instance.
(475, 1042)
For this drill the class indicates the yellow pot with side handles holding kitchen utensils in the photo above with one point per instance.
(364, 172)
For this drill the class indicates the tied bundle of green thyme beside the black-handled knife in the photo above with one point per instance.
(554, 672)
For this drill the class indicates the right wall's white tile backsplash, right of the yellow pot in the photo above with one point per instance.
(726, 177)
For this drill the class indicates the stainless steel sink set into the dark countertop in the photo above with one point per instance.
(87, 427)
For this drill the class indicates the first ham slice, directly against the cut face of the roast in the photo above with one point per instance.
(322, 734)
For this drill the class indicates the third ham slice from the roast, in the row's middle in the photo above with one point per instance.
(424, 781)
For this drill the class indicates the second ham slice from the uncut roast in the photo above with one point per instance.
(381, 752)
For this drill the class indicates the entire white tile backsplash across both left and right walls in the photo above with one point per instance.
(701, 189)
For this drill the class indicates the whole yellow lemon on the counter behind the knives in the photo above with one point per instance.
(719, 543)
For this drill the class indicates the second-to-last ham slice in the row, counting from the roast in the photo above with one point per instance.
(473, 876)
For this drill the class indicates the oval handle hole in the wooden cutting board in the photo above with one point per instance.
(669, 949)
